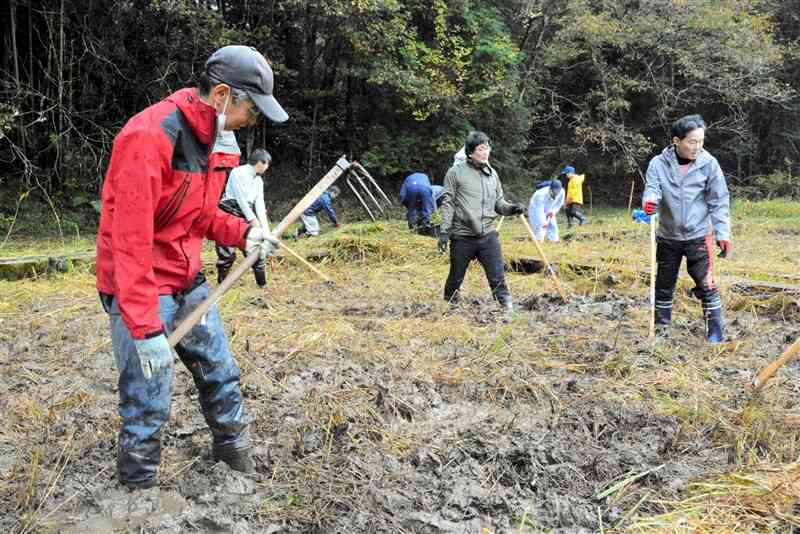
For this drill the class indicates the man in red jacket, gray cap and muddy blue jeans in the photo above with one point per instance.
(159, 202)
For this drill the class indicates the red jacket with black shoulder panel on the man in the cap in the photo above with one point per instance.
(159, 201)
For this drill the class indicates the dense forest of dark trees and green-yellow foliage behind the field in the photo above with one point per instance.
(398, 84)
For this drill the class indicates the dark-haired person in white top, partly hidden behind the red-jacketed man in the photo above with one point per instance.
(244, 197)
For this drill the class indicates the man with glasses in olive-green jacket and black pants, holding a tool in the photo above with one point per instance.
(472, 200)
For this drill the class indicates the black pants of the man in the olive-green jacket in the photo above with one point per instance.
(487, 251)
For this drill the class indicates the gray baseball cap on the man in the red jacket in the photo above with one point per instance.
(244, 68)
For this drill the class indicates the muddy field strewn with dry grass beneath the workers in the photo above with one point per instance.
(376, 407)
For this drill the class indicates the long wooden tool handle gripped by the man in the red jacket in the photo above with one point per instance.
(315, 192)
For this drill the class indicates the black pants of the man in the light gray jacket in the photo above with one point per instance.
(699, 264)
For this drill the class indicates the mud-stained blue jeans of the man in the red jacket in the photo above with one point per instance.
(145, 405)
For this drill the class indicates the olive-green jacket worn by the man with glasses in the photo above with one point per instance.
(472, 200)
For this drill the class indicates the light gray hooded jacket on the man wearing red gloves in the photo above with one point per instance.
(687, 203)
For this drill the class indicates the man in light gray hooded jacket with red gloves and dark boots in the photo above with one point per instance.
(685, 185)
